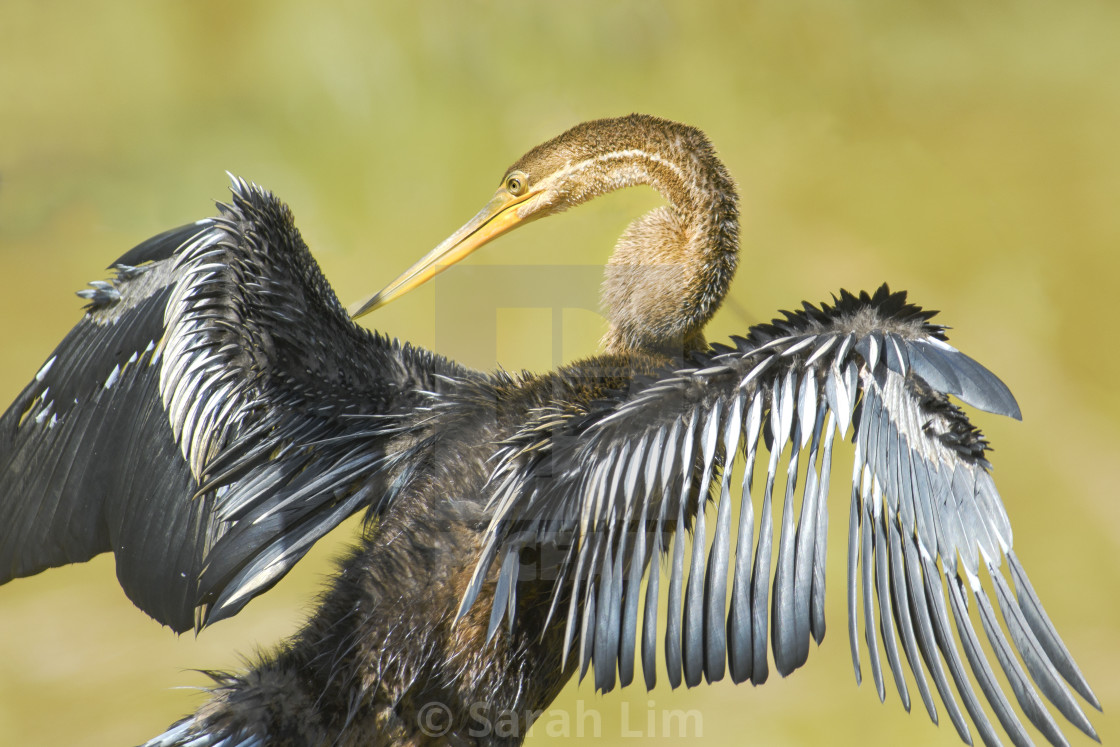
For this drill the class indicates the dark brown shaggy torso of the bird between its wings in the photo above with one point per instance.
(386, 641)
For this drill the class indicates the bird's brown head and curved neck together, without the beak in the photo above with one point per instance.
(671, 268)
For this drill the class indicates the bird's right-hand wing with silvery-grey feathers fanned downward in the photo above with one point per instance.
(614, 488)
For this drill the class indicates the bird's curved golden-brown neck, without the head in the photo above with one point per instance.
(673, 268)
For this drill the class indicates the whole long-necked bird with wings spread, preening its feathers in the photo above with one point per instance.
(218, 410)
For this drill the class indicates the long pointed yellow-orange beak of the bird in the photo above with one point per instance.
(498, 218)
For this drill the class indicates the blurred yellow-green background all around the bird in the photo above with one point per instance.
(965, 152)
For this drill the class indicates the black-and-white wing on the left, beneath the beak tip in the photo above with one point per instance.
(212, 416)
